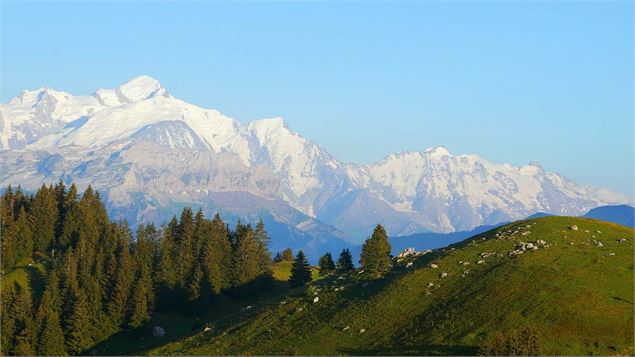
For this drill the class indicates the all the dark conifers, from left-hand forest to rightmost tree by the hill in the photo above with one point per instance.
(100, 278)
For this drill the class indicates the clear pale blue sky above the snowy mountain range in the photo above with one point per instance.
(509, 81)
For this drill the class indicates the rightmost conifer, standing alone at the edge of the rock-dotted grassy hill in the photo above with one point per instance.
(375, 257)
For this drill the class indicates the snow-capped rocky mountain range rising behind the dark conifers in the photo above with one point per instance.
(151, 153)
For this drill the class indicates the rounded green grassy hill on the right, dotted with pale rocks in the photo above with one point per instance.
(579, 298)
